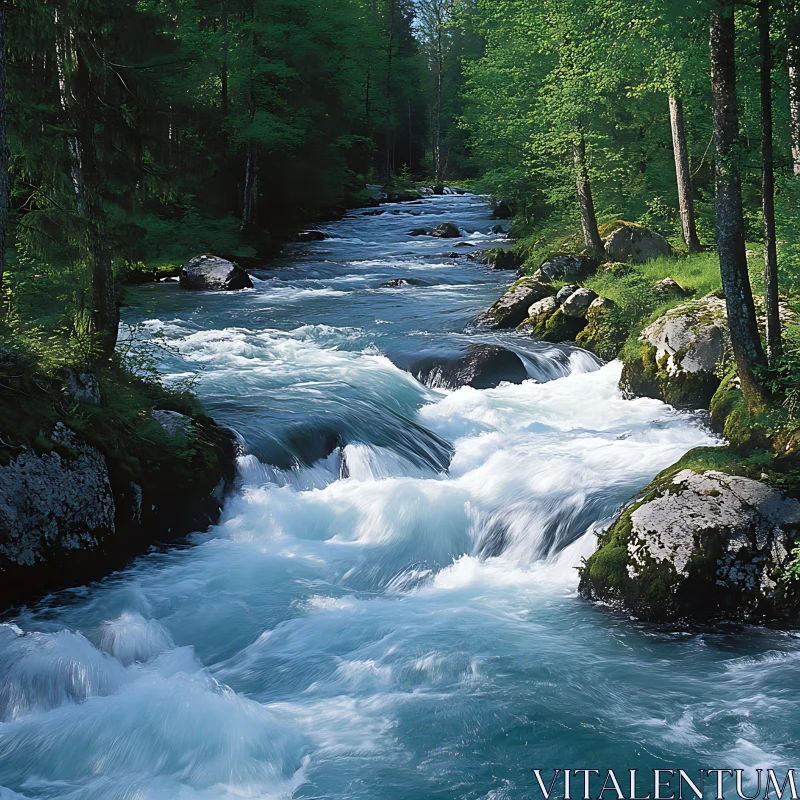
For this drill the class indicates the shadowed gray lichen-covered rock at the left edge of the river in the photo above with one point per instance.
(55, 502)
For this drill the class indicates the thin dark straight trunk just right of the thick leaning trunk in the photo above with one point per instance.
(768, 187)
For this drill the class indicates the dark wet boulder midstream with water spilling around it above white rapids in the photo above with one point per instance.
(483, 366)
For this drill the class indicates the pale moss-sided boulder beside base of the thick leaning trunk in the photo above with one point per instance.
(682, 355)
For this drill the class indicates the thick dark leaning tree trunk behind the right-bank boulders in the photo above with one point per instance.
(745, 340)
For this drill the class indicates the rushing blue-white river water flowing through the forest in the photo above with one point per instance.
(405, 628)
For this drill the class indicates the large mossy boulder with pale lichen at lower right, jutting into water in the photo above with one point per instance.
(701, 544)
